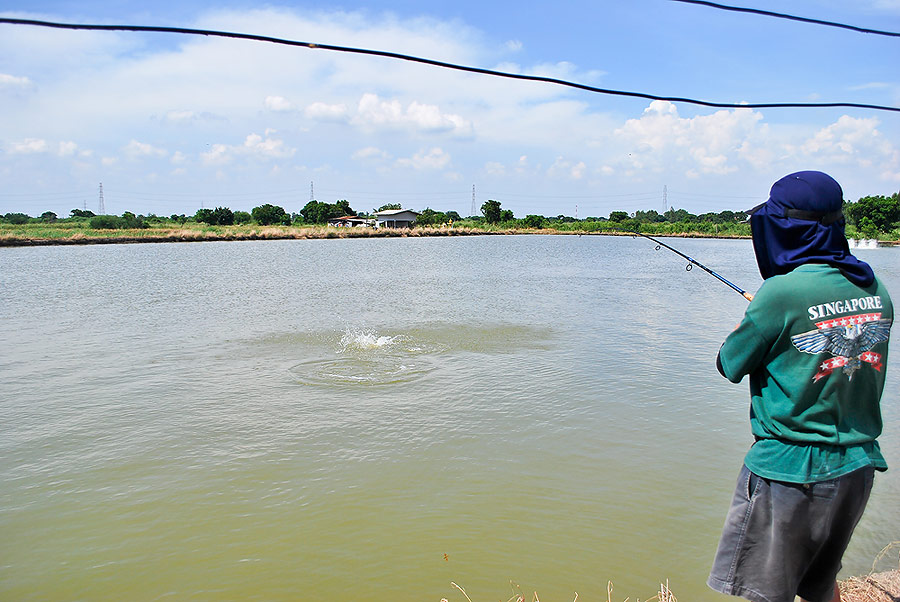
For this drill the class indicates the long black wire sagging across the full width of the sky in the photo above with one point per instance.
(442, 64)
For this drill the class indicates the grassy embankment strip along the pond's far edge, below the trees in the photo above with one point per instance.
(79, 231)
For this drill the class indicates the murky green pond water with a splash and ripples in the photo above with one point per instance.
(373, 419)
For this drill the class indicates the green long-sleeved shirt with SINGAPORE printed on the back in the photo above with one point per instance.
(815, 347)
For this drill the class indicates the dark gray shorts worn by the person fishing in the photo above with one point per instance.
(786, 539)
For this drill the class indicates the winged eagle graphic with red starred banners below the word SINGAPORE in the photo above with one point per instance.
(848, 339)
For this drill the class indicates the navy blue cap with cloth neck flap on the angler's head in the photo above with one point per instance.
(802, 223)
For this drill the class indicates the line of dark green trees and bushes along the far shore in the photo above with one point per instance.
(870, 216)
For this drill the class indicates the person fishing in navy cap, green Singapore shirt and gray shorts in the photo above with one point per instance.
(814, 342)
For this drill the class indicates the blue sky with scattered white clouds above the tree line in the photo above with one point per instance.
(171, 123)
